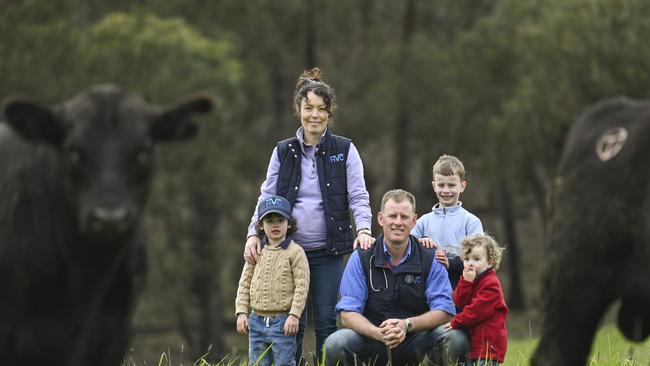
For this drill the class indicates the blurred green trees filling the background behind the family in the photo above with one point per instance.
(495, 82)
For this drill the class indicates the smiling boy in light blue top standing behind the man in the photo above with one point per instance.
(448, 222)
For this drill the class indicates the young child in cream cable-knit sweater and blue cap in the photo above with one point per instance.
(275, 288)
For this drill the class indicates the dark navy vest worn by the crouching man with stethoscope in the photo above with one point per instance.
(395, 295)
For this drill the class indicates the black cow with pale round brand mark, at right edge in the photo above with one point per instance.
(600, 232)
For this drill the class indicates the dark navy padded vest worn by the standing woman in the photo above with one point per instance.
(331, 158)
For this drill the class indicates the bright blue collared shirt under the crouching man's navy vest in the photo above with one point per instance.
(354, 291)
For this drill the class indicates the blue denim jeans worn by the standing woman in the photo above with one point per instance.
(325, 278)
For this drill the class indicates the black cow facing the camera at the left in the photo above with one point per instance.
(73, 183)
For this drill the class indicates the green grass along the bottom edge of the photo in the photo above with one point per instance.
(609, 349)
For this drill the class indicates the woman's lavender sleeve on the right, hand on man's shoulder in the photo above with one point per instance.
(358, 197)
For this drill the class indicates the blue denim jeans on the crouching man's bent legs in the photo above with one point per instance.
(347, 347)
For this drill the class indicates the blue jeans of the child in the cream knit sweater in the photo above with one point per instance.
(267, 332)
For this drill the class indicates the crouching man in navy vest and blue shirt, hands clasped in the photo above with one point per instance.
(395, 297)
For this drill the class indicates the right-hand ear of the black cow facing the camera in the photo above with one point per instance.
(175, 123)
